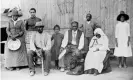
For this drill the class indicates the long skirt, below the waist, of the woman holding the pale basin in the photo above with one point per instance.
(18, 57)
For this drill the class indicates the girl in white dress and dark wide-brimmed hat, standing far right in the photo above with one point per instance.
(122, 39)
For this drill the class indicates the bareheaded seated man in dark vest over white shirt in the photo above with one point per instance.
(73, 42)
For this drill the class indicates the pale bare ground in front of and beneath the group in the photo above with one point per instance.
(115, 74)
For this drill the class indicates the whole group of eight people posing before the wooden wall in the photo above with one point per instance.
(85, 50)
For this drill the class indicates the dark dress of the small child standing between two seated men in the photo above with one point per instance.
(57, 37)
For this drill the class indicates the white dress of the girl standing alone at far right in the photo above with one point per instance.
(121, 33)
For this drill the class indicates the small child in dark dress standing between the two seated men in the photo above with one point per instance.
(57, 37)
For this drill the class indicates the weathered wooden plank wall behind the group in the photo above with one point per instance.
(62, 12)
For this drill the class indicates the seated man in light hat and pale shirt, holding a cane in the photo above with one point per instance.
(40, 45)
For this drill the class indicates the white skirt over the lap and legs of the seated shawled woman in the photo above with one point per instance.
(95, 60)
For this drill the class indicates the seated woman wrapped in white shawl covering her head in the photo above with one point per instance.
(97, 52)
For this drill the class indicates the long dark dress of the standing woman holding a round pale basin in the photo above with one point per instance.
(18, 57)
